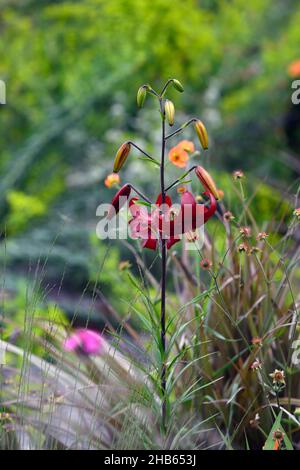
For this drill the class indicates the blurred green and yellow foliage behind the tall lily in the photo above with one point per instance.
(72, 69)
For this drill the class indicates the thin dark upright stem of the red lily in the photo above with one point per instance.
(163, 274)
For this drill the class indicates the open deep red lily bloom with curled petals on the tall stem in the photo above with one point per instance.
(167, 224)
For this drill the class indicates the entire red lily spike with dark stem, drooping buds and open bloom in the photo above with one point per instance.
(164, 226)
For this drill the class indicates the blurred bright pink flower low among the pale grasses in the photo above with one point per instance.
(84, 341)
